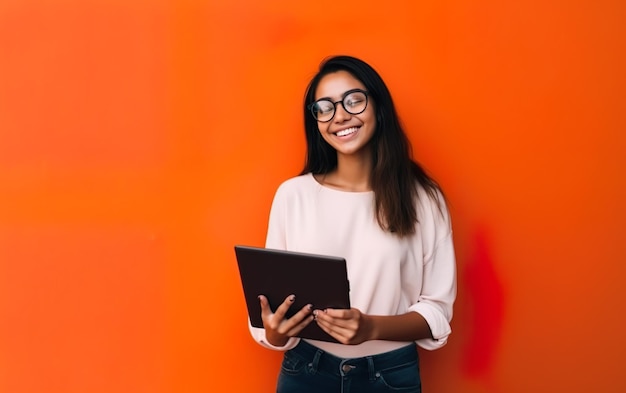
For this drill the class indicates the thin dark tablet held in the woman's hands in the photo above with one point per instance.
(319, 280)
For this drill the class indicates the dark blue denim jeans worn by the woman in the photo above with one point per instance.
(308, 369)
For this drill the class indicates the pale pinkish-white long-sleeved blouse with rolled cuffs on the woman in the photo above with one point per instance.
(388, 275)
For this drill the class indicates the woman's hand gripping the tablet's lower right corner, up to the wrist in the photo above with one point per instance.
(346, 326)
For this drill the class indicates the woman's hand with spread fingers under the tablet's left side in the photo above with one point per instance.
(278, 328)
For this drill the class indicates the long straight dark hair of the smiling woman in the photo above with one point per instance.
(395, 176)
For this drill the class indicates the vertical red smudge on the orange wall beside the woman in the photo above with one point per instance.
(486, 299)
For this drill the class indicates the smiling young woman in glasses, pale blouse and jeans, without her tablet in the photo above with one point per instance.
(361, 196)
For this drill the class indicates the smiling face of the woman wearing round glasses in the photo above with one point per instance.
(347, 133)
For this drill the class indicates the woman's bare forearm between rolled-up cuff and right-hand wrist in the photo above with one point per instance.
(405, 327)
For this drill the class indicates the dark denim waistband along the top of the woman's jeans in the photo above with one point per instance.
(324, 361)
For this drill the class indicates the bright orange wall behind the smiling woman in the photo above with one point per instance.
(140, 140)
